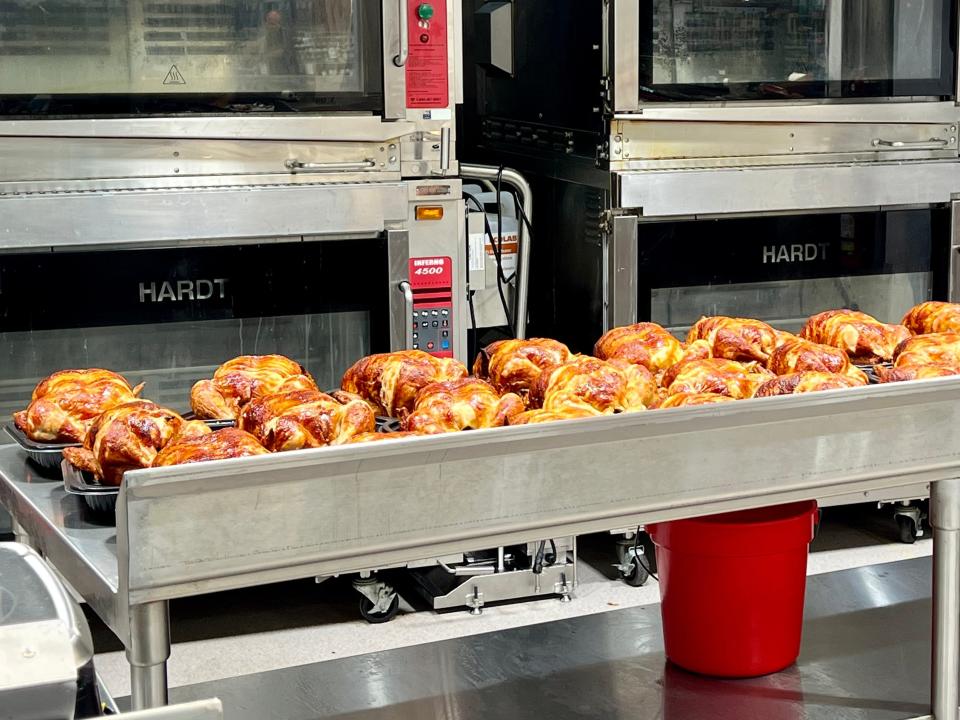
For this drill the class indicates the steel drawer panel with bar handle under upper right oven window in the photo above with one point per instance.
(635, 145)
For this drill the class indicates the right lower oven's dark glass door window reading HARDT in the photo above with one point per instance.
(783, 269)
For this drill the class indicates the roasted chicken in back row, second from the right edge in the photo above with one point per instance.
(864, 338)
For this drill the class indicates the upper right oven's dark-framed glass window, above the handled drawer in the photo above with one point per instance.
(783, 49)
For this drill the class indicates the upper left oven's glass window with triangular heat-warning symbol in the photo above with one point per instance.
(122, 57)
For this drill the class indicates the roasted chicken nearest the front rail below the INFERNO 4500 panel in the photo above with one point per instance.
(465, 404)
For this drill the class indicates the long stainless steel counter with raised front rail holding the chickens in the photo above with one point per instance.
(194, 529)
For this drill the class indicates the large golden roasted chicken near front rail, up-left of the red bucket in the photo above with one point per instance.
(591, 384)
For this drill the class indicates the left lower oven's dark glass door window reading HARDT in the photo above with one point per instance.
(171, 317)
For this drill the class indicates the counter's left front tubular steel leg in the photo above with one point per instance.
(147, 654)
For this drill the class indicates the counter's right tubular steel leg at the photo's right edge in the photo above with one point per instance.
(945, 512)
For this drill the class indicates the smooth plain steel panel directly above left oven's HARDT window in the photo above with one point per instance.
(159, 218)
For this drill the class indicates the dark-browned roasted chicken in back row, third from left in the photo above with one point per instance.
(390, 382)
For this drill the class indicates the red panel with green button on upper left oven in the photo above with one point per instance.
(427, 65)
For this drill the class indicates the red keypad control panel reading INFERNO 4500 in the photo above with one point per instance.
(431, 279)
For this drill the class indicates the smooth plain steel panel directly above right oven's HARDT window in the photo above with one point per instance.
(782, 189)
